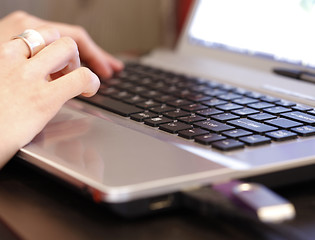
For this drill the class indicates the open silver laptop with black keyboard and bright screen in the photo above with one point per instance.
(235, 99)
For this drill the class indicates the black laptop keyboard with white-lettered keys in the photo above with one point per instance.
(209, 113)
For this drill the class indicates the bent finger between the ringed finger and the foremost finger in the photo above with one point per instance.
(59, 58)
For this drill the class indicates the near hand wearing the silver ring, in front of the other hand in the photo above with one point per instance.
(34, 89)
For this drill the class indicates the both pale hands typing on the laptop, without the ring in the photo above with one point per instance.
(34, 89)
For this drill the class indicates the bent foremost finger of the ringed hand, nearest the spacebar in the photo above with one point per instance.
(80, 81)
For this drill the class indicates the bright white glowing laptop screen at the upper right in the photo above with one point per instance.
(282, 30)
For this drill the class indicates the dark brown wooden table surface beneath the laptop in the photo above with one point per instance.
(36, 206)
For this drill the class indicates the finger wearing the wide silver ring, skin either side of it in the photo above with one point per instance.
(20, 48)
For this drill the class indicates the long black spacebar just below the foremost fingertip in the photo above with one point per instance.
(112, 105)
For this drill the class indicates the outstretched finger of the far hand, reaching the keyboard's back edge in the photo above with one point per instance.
(100, 61)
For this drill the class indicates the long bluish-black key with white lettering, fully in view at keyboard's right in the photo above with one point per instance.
(252, 125)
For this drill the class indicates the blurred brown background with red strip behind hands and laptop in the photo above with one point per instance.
(119, 26)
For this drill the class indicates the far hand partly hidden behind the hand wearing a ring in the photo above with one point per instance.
(102, 63)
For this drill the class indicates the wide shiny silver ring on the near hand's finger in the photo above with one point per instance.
(33, 39)
